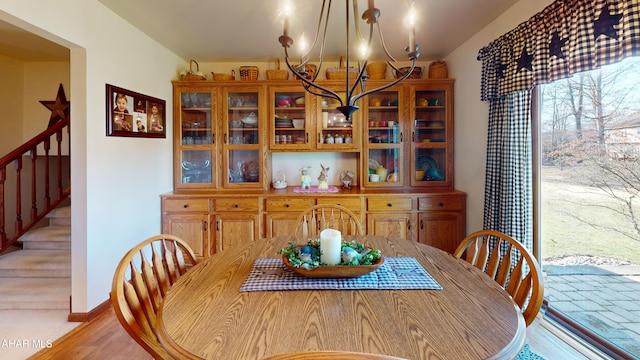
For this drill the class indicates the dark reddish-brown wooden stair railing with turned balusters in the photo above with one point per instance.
(34, 171)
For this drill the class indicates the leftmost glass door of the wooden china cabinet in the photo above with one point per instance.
(196, 139)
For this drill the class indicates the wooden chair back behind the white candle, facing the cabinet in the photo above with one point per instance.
(319, 217)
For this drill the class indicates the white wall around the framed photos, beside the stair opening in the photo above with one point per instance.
(116, 180)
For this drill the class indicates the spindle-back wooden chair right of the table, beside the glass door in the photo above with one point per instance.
(485, 249)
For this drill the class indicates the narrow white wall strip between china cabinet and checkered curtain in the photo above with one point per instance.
(471, 115)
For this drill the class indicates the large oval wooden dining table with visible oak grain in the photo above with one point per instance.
(206, 316)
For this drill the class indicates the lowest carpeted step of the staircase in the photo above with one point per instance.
(34, 293)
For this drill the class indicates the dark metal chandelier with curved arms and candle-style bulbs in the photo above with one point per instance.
(354, 87)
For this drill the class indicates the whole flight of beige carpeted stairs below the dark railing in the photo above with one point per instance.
(38, 277)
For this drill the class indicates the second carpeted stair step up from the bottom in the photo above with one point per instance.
(36, 263)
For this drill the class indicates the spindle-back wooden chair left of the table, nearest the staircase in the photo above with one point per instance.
(140, 283)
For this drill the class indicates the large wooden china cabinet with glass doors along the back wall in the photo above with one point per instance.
(226, 131)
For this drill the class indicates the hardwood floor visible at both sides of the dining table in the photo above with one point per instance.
(104, 338)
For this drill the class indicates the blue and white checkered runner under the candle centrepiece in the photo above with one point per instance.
(396, 273)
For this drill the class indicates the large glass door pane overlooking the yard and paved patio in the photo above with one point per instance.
(590, 201)
